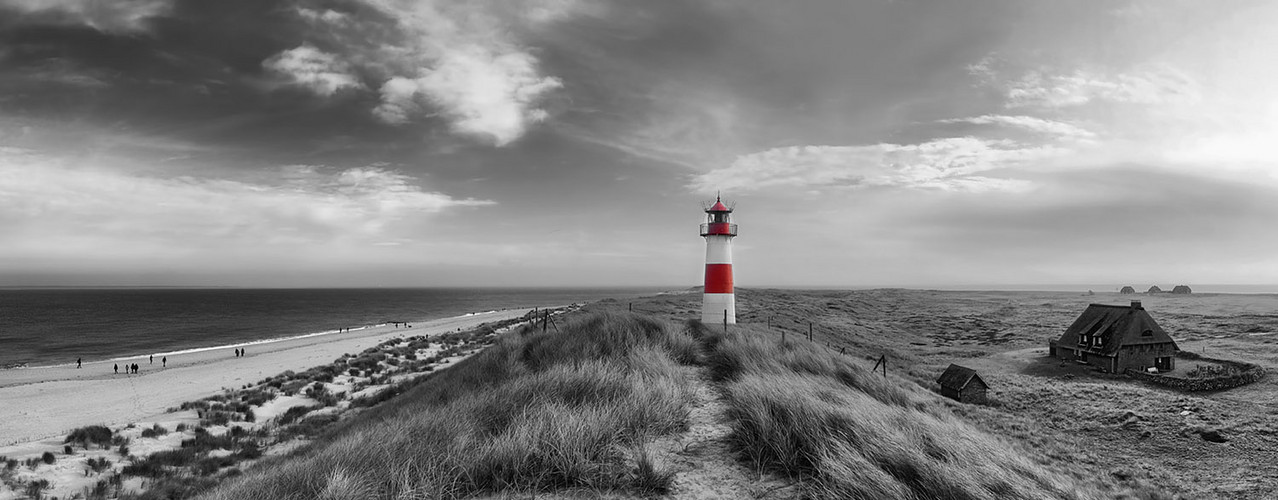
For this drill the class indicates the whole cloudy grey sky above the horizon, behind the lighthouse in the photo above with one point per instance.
(572, 143)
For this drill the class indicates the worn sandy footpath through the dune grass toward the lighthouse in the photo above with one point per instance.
(705, 465)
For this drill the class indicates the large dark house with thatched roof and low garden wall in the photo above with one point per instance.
(1118, 338)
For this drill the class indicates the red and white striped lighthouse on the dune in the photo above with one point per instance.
(718, 302)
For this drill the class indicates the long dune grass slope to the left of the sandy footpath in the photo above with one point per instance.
(534, 412)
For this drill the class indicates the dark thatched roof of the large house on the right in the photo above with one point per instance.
(1118, 327)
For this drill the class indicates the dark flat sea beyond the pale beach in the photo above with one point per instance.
(56, 327)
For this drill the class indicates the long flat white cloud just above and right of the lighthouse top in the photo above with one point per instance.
(949, 164)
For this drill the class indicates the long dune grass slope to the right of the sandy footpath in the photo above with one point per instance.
(805, 412)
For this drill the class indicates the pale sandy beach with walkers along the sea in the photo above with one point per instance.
(48, 402)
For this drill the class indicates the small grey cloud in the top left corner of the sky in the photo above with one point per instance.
(108, 16)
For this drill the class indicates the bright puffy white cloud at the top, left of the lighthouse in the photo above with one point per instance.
(459, 61)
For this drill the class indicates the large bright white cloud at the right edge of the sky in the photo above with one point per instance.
(1211, 125)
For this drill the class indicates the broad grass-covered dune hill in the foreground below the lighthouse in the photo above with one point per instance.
(578, 412)
